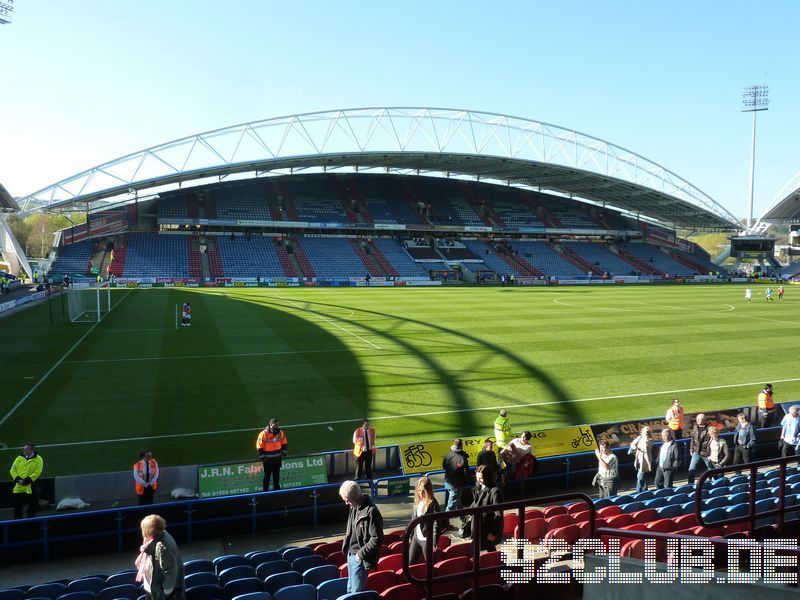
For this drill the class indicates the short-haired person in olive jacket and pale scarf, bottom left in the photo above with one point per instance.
(160, 564)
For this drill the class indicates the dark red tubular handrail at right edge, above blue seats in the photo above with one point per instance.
(751, 516)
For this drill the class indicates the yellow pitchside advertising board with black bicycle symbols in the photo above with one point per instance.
(422, 457)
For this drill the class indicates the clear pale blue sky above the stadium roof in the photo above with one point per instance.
(87, 81)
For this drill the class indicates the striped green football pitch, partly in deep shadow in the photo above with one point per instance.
(421, 363)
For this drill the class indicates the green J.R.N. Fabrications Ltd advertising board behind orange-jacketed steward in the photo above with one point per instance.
(247, 478)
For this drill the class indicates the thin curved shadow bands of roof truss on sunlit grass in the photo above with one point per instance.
(470, 420)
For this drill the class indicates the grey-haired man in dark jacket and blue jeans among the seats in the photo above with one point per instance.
(363, 536)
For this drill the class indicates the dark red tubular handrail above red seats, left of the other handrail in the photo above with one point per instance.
(428, 520)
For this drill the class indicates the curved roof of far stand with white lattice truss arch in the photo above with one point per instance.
(486, 146)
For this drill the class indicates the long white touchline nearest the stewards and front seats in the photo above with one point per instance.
(417, 415)
